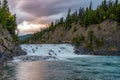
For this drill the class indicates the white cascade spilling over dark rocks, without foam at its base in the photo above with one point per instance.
(62, 50)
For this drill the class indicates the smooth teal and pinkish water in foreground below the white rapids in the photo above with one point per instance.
(82, 68)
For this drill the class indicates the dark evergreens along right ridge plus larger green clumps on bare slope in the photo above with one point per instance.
(85, 17)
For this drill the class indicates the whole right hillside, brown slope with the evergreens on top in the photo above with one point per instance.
(96, 30)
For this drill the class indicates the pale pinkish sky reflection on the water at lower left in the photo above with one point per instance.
(30, 71)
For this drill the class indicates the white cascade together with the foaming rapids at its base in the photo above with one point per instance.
(47, 52)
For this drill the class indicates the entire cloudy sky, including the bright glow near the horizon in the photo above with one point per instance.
(32, 15)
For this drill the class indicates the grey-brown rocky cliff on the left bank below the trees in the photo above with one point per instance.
(8, 48)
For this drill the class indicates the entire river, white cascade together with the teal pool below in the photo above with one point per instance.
(65, 65)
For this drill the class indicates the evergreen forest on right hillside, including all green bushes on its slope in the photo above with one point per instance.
(108, 10)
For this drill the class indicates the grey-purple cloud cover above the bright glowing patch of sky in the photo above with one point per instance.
(30, 10)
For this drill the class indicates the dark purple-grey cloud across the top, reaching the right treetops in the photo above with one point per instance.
(41, 8)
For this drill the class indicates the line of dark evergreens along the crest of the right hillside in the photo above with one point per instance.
(85, 17)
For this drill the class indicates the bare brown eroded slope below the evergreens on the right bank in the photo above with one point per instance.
(108, 31)
